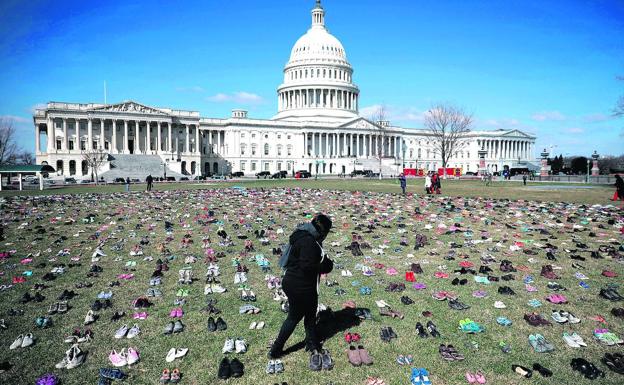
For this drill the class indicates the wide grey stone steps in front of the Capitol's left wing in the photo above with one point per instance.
(136, 166)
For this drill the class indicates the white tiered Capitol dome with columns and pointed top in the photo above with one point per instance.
(318, 83)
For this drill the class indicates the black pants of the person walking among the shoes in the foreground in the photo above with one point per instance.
(301, 306)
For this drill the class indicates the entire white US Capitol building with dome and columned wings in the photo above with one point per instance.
(317, 128)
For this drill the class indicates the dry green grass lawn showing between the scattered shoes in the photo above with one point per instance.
(185, 202)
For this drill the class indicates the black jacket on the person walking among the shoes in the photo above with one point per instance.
(305, 264)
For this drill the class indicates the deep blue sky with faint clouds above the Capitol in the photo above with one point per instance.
(546, 67)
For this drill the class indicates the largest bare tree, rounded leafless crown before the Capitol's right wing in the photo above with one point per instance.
(449, 125)
